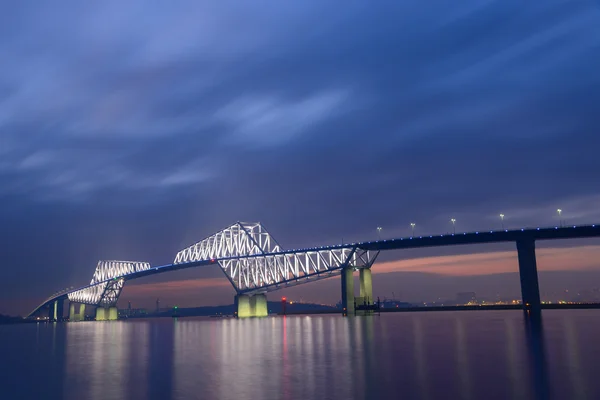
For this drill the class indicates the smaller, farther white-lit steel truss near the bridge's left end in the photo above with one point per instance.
(107, 283)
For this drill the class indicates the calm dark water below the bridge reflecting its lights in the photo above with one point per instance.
(432, 355)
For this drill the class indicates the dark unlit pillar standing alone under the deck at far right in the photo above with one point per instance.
(530, 289)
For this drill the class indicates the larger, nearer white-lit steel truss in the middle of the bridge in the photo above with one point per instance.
(254, 262)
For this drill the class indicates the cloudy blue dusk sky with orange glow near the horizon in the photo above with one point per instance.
(132, 130)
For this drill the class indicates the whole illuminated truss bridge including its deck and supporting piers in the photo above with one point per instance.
(255, 264)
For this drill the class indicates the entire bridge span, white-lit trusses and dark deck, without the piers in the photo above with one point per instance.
(254, 262)
